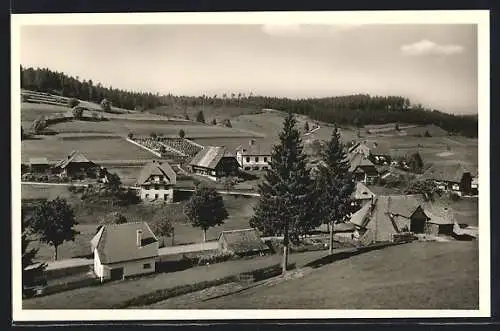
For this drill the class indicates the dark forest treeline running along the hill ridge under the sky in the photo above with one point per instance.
(356, 110)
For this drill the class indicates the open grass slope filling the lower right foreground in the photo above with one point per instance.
(414, 276)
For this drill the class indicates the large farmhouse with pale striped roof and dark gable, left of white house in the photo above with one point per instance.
(214, 162)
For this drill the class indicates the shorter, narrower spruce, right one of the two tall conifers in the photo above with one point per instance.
(334, 185)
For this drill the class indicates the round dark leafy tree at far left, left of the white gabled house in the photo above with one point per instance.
(53, 221)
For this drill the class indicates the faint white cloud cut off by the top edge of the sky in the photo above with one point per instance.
(305, 29)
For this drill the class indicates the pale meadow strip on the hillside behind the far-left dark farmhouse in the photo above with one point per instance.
(94, 149)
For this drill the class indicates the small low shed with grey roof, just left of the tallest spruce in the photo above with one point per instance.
(242, 242)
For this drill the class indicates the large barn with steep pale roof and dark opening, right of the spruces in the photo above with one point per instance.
(390, 215)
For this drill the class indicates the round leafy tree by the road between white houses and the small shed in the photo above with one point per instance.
(205, 209)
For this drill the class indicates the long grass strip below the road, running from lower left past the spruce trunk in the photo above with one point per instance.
(107, 295)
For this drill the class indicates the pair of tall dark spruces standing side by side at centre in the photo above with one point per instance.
(294, 201)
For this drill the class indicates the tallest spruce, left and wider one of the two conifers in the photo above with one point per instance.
(285, 203)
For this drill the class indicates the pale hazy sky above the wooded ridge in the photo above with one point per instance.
(435, 65)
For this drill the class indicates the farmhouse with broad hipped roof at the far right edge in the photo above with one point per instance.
(451, 177)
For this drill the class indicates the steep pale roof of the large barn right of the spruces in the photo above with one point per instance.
(387, 214)
